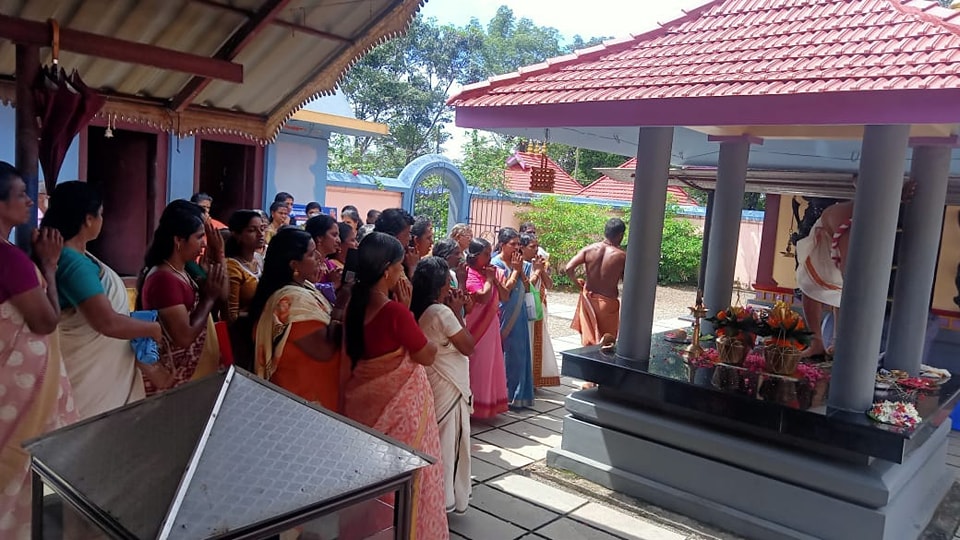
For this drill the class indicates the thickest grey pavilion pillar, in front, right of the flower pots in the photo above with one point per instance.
(867, 273)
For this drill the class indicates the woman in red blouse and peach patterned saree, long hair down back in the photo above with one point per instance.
(388, 389)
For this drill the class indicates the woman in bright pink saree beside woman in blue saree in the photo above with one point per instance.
(488, 373)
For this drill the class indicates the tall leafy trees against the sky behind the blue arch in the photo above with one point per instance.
(406, 82)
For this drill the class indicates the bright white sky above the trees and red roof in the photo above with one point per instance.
(590, 18)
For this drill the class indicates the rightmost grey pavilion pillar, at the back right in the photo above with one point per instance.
(917, 266)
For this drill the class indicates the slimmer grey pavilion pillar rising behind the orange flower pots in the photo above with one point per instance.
(725, 225)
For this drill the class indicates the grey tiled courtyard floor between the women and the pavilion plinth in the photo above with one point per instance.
(511, 501)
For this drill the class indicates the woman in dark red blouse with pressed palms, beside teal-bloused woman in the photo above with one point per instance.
(166, 286)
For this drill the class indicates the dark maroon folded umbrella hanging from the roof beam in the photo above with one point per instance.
(64, 106)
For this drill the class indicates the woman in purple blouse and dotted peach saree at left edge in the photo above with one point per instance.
(35, 394)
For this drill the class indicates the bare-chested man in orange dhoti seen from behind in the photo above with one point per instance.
(598, 308)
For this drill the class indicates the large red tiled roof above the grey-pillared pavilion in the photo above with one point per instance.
(750, 48)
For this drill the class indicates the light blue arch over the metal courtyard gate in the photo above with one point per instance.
(458, 210)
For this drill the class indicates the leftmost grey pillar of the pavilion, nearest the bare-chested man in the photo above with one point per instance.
(646, 234)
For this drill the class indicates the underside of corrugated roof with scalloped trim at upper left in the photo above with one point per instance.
(300, 54)
